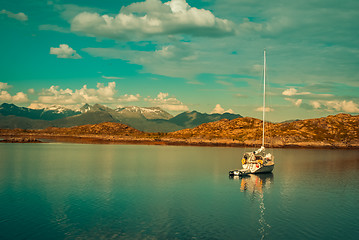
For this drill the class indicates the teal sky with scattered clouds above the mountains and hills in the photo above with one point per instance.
(203, 55)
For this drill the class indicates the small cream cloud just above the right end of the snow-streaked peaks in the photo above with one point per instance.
(168, 103)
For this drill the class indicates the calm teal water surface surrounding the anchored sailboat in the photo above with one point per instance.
(80, 191)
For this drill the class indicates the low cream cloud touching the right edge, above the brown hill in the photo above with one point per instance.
(336, 105)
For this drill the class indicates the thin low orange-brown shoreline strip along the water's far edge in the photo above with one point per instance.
(143, 140)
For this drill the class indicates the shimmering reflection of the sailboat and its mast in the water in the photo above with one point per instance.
(256, 185)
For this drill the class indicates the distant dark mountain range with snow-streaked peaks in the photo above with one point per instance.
(149, 119)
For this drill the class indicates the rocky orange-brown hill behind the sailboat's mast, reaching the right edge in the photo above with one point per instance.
(338, 130)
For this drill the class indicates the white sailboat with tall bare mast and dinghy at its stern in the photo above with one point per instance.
(258, 161)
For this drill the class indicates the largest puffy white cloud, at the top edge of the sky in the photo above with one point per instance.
(152, 17)
